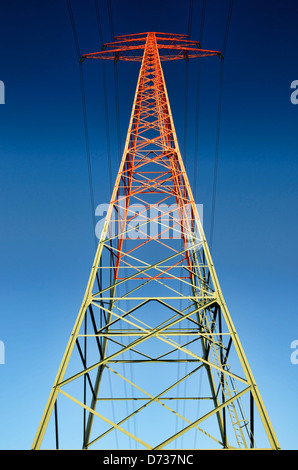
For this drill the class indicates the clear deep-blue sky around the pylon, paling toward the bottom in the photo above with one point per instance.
(47, 240)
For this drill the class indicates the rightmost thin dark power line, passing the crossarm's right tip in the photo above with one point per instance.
(219, 124)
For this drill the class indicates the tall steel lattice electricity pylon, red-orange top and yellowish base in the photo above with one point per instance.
(161, 363)
